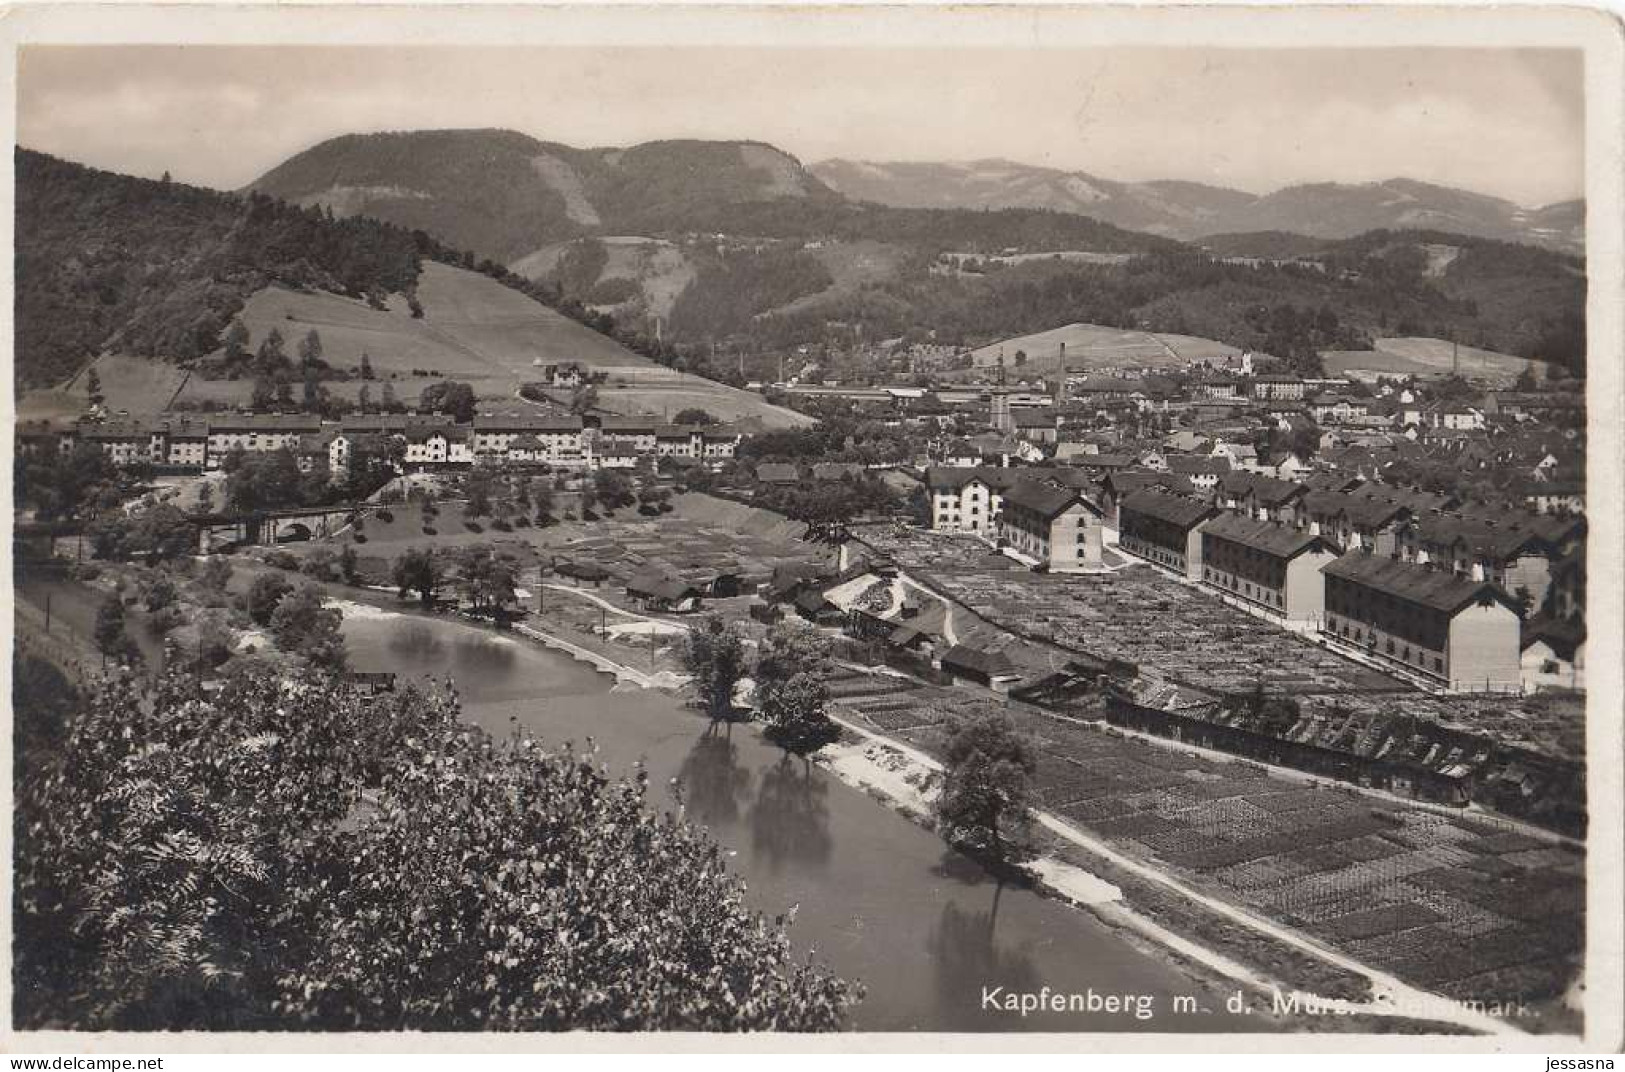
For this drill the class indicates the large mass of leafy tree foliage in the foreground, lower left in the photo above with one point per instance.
(293, 854)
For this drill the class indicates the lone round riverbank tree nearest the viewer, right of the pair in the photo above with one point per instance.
(987, 790)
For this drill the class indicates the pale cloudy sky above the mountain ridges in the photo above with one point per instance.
(1506, 123)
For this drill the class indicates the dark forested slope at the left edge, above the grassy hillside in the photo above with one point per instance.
(160, 269)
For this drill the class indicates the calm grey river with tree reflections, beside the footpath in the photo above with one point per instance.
(878, 897)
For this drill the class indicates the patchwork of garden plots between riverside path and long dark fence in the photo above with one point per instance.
(1455, 906)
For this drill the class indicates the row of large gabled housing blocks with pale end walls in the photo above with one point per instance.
(1413, 584)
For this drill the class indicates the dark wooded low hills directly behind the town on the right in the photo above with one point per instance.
(1497, 296)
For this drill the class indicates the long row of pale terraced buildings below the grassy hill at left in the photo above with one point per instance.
(428, 441)
